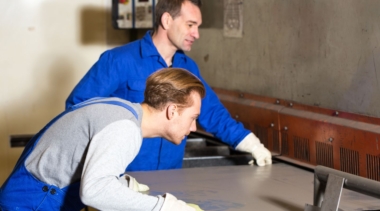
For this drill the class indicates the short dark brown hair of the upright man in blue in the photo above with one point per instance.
(173, 7)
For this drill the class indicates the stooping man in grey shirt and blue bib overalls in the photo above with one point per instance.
(80, 157)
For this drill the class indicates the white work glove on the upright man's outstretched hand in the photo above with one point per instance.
(251, 144)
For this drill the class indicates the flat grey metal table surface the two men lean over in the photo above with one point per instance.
(280, 186)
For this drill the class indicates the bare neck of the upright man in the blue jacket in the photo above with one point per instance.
(164, 47)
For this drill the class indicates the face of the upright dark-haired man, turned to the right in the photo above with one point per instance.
(184, 28)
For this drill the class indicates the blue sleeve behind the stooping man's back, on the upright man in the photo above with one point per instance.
(100, 81)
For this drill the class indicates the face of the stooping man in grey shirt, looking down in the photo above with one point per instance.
(184, 121)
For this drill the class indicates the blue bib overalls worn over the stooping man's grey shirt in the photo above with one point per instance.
(22, 191)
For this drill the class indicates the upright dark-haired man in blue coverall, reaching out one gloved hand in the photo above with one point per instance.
(122, 72)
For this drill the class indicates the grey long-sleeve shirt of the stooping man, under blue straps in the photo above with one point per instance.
(93, 144)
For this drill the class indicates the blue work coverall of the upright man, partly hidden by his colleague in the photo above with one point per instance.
(122, 72)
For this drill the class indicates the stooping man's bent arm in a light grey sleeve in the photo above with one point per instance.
(110, 151)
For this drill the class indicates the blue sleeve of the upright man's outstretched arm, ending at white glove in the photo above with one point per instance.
(216, 119)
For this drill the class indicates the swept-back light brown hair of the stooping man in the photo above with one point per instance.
(171, 85)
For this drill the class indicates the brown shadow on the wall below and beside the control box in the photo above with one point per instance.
(96, 28)
